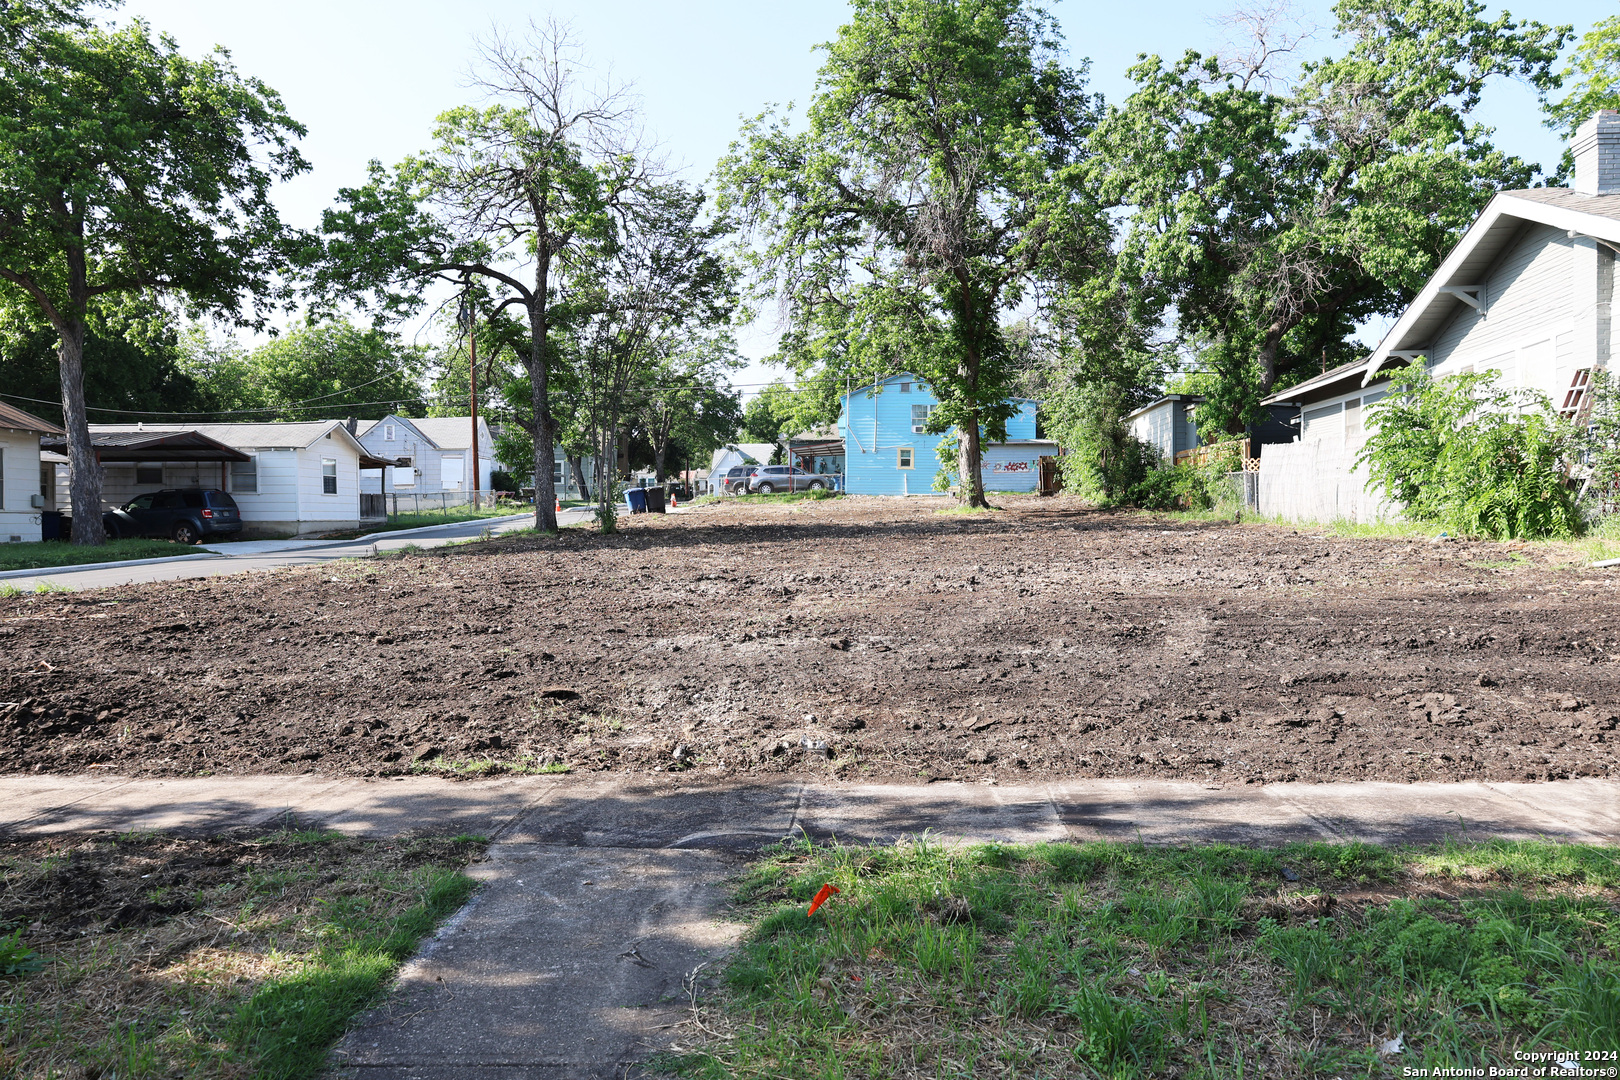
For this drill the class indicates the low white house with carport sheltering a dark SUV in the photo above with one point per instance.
(288, 480)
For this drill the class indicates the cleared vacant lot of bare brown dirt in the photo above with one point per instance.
(859, 637)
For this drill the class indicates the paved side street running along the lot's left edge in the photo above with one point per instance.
(247, 556)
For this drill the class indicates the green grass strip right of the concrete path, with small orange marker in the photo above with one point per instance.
(1132, 961)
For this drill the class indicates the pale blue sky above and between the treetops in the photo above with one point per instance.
(369, 77)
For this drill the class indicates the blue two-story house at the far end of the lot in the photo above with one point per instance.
(887, 453)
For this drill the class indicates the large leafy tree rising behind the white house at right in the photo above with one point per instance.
(1274, 216)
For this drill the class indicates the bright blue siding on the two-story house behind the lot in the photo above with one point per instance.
(877, 427)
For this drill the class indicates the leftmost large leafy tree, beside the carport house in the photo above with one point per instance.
(126, 169)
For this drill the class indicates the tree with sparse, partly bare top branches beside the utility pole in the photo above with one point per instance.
(503, 202)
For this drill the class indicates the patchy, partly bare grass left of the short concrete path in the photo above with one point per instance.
(171, 958)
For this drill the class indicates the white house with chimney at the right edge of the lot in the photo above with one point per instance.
(1527, 292)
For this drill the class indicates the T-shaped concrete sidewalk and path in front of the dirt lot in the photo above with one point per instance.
(603, 898)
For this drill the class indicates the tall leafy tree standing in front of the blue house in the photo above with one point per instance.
(937, 176)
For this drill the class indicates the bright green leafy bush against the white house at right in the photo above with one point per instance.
(1470, 457)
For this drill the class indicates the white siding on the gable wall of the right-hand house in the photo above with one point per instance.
(1527, 330)
